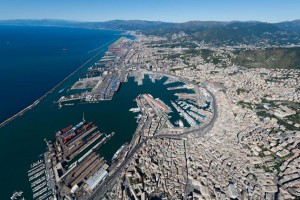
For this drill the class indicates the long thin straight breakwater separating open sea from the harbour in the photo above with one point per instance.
(23, 111)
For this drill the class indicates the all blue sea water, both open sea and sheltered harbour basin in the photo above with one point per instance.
(32, 61)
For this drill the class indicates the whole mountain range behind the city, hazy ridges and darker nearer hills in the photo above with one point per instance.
(214, 32)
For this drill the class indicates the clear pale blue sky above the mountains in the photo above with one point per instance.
(162, 10)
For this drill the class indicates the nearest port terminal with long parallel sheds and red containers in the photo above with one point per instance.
(72, 167)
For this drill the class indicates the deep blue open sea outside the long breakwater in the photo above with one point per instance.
(34, 59)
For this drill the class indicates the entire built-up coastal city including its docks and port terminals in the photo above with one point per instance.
(238, 135)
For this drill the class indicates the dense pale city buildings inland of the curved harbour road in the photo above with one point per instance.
(252, 150)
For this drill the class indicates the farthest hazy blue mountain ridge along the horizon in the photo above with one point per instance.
(142, 25)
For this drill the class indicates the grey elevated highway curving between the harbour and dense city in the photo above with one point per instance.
(110, 180)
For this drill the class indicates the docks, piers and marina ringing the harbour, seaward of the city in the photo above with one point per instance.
(73, 167)
